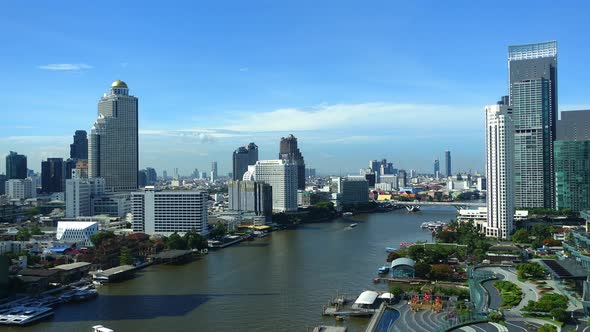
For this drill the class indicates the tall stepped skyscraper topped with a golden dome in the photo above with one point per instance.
(113, 142)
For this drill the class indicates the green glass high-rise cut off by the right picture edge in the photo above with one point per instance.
(572, 161)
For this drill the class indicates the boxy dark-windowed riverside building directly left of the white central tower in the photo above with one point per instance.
(250, 196)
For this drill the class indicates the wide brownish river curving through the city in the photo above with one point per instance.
(277, 283)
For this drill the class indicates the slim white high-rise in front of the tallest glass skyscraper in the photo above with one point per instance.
(499, 171)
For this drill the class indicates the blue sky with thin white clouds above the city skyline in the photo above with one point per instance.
(354, 81)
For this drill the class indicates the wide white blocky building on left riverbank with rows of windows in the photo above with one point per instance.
(167, 212)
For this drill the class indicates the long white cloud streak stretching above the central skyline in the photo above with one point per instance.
(364, 116)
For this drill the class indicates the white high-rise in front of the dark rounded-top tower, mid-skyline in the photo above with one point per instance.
(281, 175)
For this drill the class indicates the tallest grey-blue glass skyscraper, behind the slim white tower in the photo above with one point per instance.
(533, 97)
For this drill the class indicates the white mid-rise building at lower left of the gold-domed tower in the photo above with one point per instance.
(79, 195)
